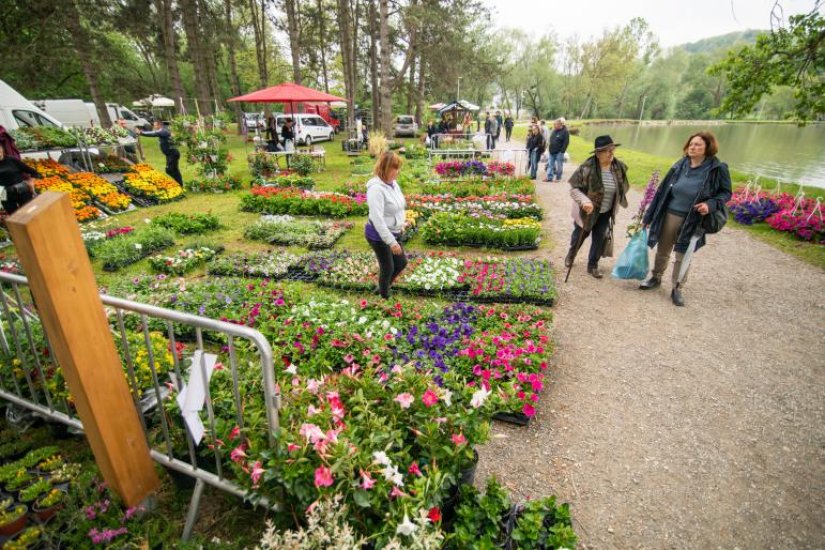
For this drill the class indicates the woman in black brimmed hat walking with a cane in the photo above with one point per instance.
(598, 187)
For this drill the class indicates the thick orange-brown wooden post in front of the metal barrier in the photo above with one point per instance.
(48, 242)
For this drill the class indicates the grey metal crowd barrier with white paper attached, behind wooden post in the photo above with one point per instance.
(24, 343)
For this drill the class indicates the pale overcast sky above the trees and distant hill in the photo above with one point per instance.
(674, 22)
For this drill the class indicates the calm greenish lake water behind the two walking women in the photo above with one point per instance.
(783, 152)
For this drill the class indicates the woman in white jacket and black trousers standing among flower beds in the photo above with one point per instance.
(386, 220)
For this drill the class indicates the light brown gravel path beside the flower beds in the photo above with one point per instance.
(694, 427)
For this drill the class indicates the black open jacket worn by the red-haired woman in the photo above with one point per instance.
(716, 191)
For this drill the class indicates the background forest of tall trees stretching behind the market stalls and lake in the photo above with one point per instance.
(386, 57)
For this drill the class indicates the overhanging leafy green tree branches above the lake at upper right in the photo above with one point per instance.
(792, 55)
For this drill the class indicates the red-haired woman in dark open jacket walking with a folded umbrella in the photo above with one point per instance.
(697, 185)
